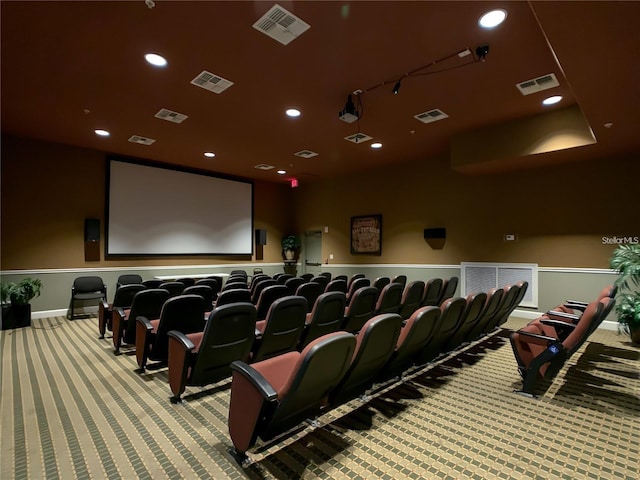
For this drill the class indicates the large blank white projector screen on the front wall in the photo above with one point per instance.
(160, 211)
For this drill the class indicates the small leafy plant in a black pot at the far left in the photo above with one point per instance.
(16, 309)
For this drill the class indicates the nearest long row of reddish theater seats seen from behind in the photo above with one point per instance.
(272, 396)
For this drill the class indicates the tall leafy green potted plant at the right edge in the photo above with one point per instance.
(626, 262)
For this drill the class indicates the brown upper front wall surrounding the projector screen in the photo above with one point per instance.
(49, 189)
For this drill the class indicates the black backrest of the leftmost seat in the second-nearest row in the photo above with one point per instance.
(228, 336)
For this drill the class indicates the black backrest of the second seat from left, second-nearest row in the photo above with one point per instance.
(284, 325)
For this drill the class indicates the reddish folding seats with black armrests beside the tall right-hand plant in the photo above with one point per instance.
(542, 347)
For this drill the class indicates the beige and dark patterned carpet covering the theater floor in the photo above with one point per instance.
(71, 409)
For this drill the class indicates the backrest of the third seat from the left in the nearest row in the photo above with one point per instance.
(414, 336)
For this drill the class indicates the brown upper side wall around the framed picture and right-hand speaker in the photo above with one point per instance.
(560, 214)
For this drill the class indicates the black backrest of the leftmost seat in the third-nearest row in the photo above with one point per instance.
(184, 313)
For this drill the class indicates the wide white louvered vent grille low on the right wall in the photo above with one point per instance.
(482, 277)
